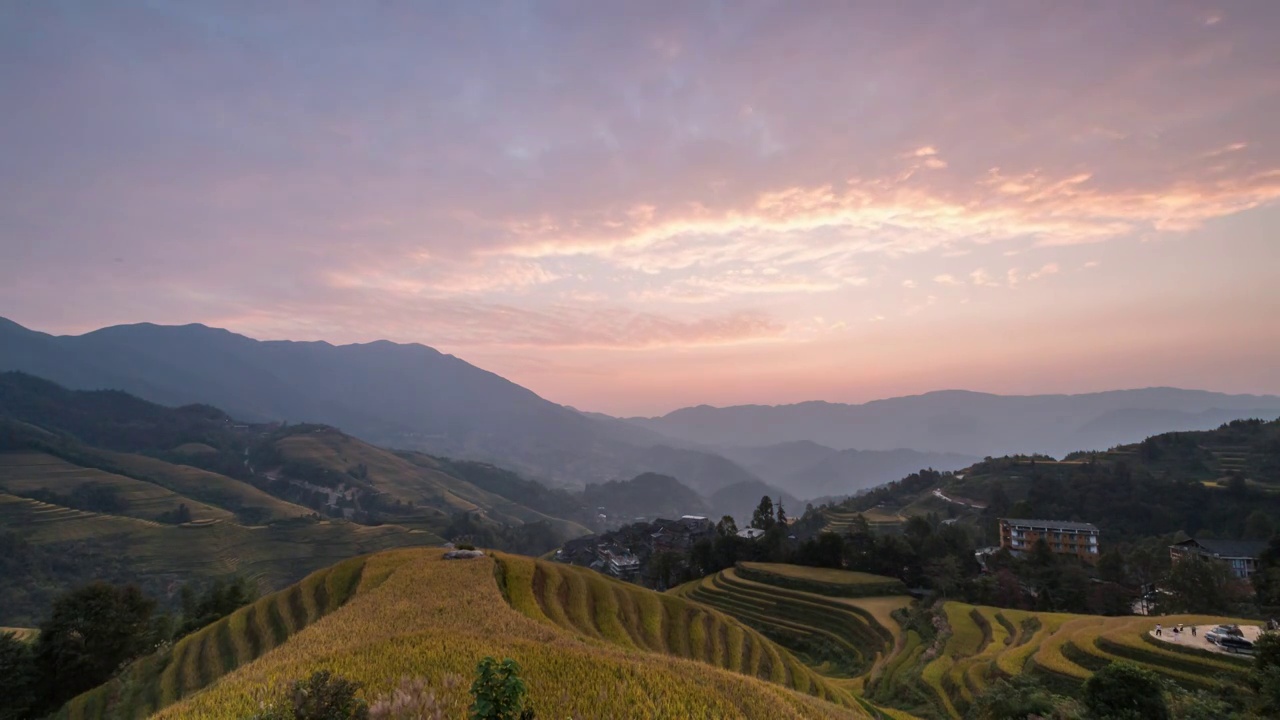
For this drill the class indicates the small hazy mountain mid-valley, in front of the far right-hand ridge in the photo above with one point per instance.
(808, 470)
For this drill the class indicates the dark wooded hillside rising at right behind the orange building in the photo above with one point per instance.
(1192, 482)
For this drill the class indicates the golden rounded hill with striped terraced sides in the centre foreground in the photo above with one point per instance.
(400, 613)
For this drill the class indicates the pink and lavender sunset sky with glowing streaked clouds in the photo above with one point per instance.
(638, 207)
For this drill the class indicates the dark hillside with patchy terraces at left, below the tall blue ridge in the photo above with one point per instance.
(104, 485)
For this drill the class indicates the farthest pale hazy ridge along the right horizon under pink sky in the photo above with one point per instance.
(967, 423)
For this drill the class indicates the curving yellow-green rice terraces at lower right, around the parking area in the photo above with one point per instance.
(890, 653)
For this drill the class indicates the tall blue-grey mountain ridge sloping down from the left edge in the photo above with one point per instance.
(406, 397)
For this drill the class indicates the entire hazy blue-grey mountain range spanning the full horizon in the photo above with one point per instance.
(414, 398)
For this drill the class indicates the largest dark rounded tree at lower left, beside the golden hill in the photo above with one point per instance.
(92, 634)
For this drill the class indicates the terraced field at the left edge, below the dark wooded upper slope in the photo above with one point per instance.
(24, 473)
